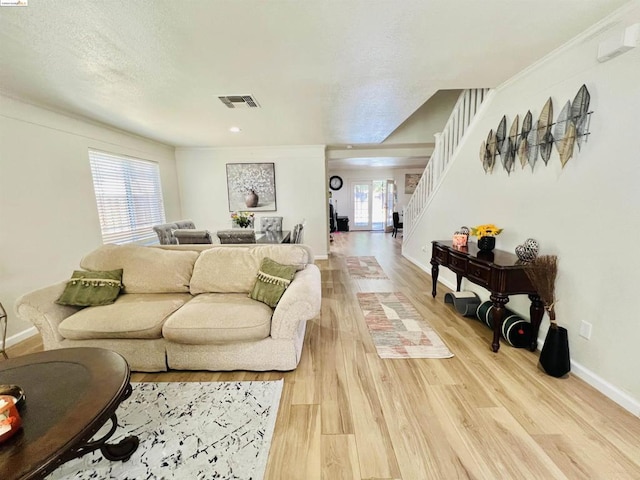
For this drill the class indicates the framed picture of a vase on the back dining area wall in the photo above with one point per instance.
(251, 187)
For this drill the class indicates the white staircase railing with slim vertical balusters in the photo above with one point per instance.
(447, 143)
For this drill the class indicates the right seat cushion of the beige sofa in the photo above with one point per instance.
(218, 319)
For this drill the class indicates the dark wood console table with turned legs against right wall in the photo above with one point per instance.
(498, 271)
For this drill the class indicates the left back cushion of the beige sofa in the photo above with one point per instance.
(145, 269)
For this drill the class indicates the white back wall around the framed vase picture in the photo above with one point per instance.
(301, 189)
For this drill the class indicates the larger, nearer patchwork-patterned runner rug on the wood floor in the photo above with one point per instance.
(397, 329)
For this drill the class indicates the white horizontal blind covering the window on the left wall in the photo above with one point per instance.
(129, 197)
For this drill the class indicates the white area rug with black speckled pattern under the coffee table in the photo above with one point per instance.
(189, 430)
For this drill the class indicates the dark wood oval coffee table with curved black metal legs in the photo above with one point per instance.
(69, 395)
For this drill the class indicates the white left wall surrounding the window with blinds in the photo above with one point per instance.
(48, 214)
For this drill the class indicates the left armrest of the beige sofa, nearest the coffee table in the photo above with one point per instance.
(39, 308)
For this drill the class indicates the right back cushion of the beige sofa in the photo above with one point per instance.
(230, 268)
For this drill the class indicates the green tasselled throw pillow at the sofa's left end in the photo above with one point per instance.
(88, 289)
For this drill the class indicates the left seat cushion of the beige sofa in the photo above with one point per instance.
(133, 315)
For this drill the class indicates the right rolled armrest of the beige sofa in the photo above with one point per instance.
(300, 302)
